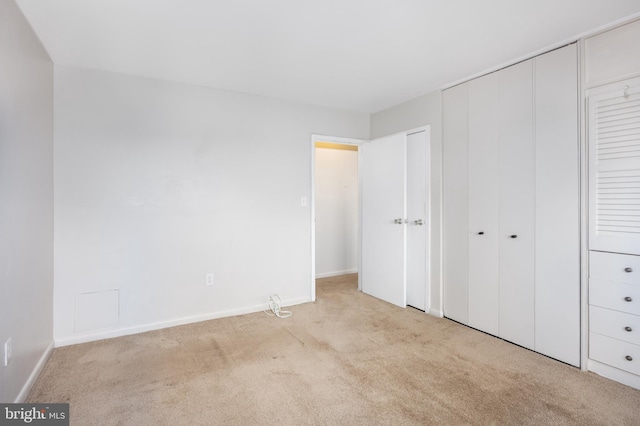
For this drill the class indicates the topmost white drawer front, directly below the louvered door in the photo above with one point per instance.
(622, 268)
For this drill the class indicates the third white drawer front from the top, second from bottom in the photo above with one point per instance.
(618, 325)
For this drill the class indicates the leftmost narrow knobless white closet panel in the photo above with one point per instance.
(455, 203)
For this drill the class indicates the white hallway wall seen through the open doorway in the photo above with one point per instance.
(336, 212)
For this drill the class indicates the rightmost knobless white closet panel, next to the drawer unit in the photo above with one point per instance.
(557, 238)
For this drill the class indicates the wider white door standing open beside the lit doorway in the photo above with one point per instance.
(383, 214)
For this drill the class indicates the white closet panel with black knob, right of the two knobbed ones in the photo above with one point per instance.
(517, 206)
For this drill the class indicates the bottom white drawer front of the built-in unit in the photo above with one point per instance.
(619, 354)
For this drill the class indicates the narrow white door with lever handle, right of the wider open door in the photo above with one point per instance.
(417, 226)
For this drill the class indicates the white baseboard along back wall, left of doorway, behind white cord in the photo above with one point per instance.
(126, 331)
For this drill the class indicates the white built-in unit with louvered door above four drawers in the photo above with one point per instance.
(612, 114)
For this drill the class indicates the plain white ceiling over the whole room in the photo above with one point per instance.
(364, 55)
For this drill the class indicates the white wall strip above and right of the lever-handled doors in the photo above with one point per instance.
(422, 111)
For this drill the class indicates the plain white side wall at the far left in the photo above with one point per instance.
(26, 203)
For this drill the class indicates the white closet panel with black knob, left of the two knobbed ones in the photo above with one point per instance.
(483, 204)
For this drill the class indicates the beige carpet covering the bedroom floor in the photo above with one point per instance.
(346, 359)
